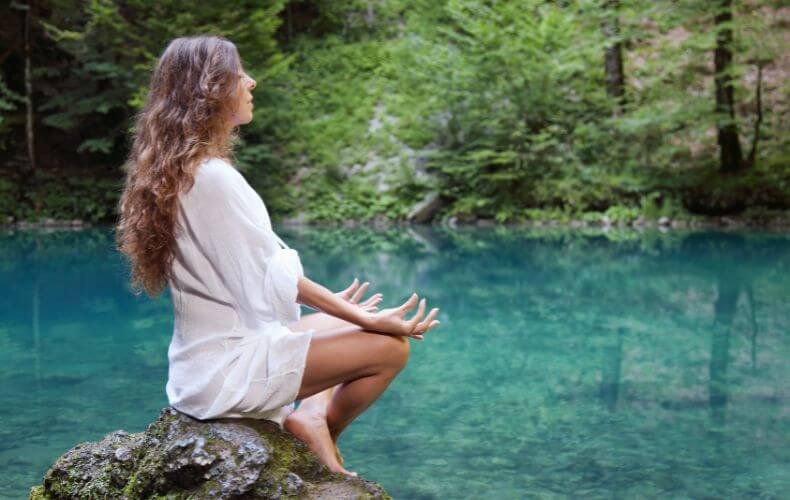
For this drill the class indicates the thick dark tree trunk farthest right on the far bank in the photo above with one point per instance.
(731, 157)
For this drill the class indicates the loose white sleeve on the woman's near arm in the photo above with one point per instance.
(231, 227)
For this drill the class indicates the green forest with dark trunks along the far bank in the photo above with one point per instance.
(422, 110)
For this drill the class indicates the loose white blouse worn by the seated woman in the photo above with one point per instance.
(234, 293)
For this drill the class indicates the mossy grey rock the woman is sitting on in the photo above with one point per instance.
(180, 457)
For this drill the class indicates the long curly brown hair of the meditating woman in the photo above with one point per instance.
(187, 117)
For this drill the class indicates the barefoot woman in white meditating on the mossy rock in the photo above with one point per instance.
(189, 220)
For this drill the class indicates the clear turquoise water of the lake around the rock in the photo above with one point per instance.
(567, 364)
